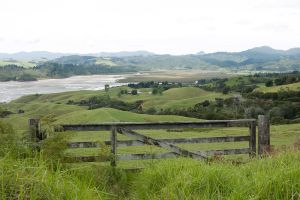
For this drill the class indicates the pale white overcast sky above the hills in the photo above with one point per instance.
(160, 26)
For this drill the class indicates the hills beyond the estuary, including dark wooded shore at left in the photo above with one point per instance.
(259, 59)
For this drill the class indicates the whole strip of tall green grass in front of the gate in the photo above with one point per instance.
(275, 177)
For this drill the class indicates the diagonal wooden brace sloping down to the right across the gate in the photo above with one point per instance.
(165, 145)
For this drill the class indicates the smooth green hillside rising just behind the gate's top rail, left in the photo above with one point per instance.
(77, 114)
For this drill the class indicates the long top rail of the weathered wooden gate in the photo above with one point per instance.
(156, 125)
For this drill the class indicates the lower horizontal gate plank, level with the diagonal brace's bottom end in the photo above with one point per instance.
(161, 156)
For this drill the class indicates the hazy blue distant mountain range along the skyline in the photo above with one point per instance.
(257, 59)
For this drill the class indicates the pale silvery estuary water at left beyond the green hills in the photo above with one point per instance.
(12, 90)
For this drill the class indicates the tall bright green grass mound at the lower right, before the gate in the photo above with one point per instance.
(270, 178)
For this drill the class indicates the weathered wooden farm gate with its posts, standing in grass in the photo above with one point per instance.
(129, 129)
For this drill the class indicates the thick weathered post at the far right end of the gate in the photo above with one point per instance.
(263, 134)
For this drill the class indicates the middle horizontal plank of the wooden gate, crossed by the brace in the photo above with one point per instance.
(125, 143)
